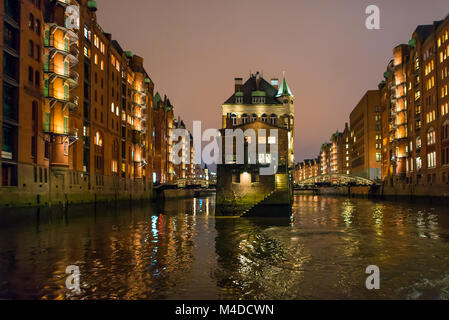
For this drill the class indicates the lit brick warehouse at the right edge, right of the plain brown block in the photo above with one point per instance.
(415, 107)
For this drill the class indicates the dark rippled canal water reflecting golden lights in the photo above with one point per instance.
(181, 251)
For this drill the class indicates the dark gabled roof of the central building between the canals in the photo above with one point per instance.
(255, 84)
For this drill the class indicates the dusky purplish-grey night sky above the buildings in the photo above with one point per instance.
(193, 50)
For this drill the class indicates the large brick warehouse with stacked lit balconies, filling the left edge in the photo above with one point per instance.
(77, 110)
